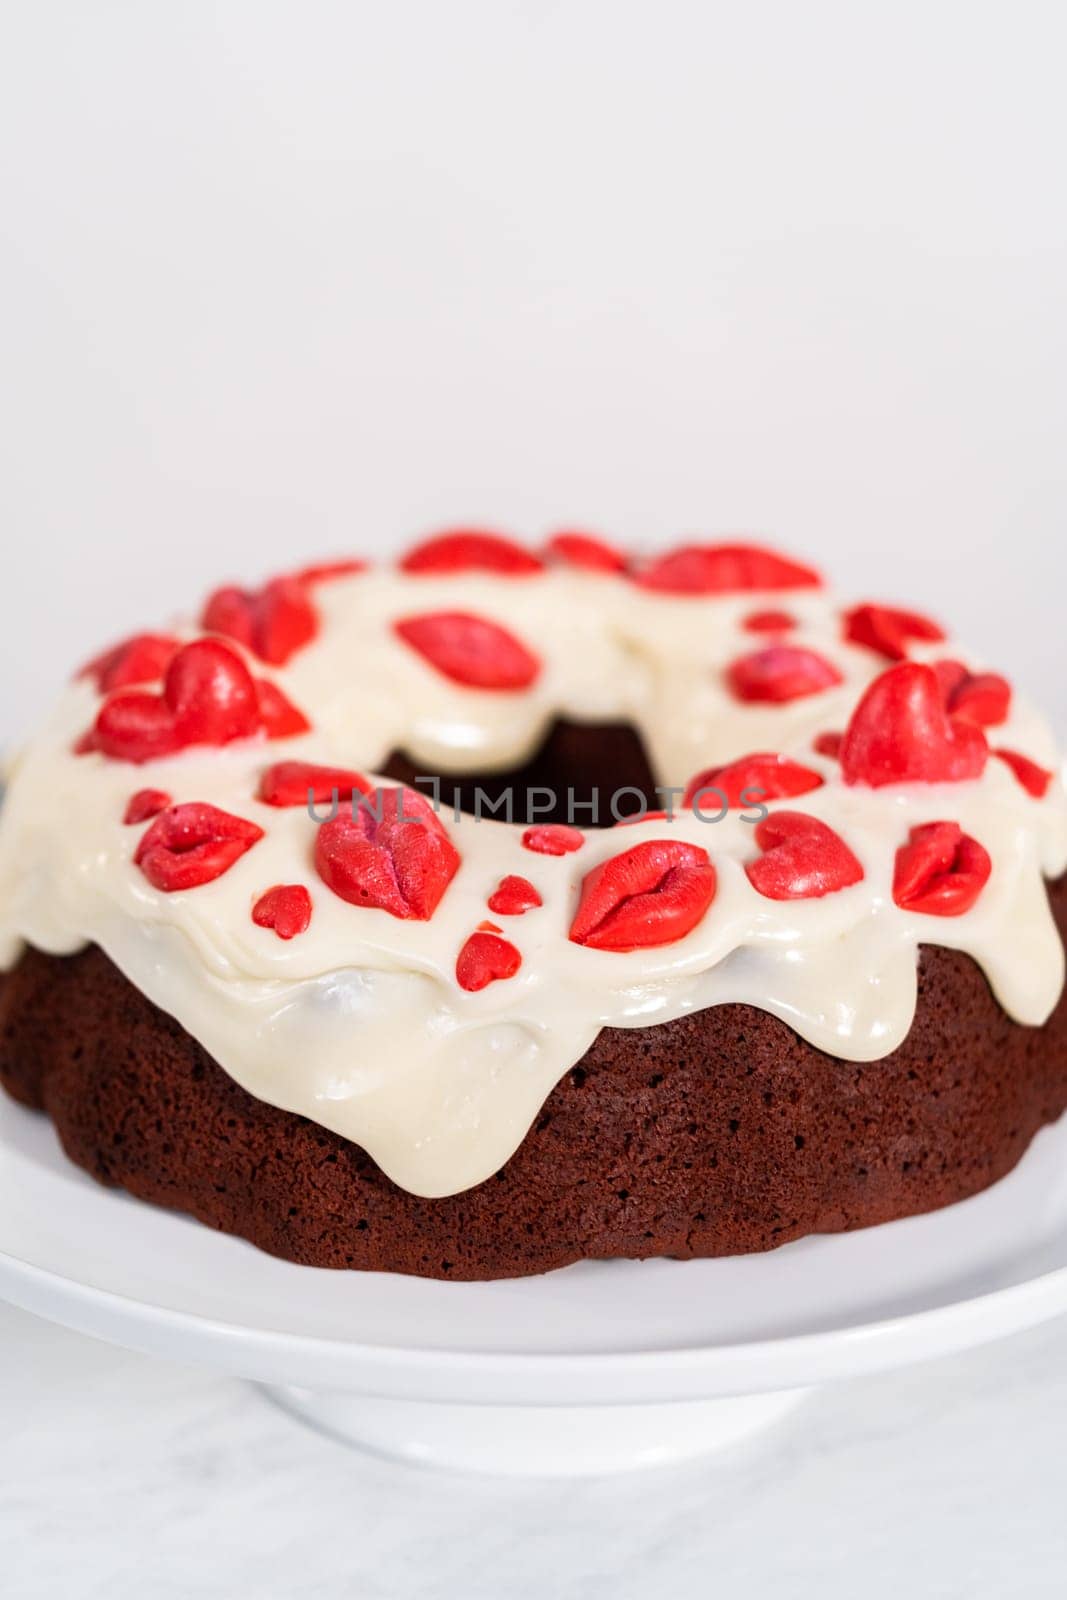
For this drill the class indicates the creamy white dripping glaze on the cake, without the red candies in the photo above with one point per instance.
(361, 1025)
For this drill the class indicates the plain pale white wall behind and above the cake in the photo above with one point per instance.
(286, 279)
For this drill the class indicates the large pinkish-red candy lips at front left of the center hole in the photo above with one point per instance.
(393, 855)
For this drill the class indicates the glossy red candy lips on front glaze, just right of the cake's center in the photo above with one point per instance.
(650, 895)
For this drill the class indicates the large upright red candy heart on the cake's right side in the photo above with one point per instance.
(903, 734)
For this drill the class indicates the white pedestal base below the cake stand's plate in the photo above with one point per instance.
(522, 1441)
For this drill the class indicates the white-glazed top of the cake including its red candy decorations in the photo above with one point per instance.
(842, 783)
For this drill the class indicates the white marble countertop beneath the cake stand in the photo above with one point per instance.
(127, 1476)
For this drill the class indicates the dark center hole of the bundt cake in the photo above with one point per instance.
(585, 774)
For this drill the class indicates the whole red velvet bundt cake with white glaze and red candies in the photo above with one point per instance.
(759, 930)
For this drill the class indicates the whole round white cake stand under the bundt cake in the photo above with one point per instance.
(593, 1369)
